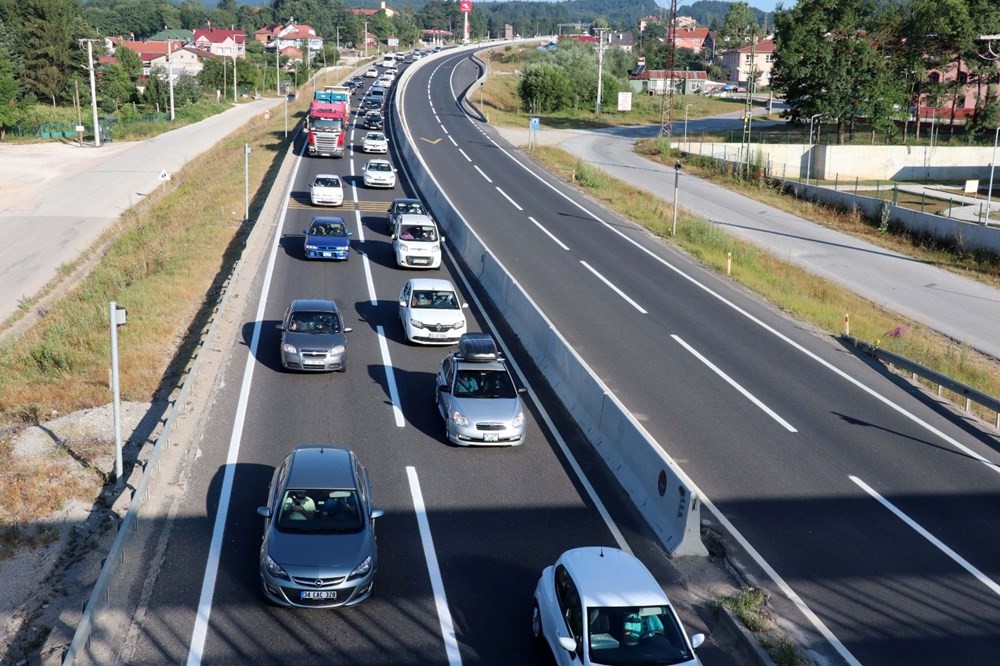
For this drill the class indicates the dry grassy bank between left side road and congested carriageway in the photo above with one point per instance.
(164, 262)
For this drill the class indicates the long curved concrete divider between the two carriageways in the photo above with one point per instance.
(664, 495)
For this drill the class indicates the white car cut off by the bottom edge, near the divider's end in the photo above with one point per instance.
(600, 605)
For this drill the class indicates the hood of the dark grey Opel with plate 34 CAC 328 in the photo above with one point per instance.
(297, 553)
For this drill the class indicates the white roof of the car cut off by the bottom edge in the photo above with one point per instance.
(612, 577)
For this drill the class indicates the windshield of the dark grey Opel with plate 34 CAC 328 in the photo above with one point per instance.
(321, 511)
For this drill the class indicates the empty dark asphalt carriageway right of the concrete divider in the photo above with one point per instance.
(867, 503)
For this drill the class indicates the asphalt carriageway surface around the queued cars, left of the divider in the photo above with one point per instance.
(466, 532)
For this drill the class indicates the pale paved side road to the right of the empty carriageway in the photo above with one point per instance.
(960, 308)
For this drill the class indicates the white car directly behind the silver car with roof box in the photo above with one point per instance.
(431, 312)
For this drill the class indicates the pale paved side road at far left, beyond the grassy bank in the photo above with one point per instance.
(57, 199)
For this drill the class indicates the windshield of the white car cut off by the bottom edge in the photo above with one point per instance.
(622, 636)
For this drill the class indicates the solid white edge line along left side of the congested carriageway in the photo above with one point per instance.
(200, 631)
